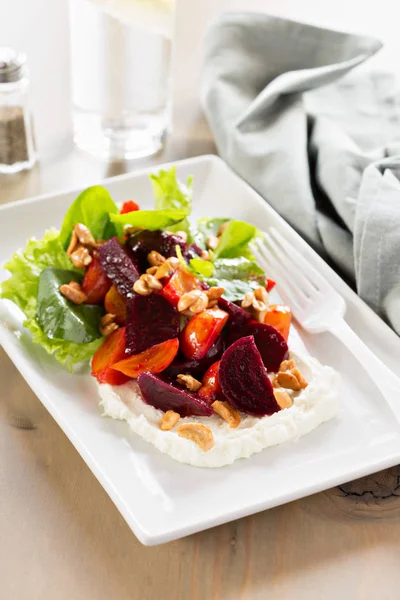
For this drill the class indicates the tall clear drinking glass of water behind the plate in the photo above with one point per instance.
(120, 75)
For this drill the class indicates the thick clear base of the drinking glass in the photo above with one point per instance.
(119, 139)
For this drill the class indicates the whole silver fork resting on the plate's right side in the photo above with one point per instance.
(318, 307)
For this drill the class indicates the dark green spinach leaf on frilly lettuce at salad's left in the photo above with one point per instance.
(58, 317)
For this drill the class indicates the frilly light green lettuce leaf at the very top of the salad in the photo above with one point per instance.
(171, 194)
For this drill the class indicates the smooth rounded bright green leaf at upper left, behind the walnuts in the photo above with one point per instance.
(93, 208)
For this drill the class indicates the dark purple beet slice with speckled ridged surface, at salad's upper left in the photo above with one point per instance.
(119, 267)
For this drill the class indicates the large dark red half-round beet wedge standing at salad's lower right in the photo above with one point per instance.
(244, 381)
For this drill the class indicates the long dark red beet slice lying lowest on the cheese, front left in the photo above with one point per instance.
(161, 393)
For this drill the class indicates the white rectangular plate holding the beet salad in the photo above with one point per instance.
(160, 499)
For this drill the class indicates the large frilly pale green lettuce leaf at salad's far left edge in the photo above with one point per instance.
(22, 288)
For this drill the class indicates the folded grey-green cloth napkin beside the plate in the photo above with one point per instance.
(320, 144)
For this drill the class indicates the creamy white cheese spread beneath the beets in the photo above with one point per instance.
(311, 407)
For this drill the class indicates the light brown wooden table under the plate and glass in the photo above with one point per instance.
(61, 537)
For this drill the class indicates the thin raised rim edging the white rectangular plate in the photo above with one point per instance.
(141, 533)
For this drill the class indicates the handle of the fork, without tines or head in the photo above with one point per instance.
(385, 379)
